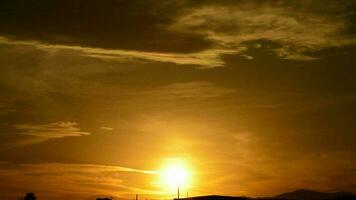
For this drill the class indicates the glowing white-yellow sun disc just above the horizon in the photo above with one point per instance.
(175, 174)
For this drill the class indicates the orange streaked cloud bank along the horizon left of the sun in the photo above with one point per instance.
(58, 180)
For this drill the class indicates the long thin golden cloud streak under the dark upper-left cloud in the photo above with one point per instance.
(205, 59)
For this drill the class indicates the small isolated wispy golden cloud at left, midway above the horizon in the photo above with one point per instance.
(51, 130)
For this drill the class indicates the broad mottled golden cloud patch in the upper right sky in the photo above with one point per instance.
(298, 31)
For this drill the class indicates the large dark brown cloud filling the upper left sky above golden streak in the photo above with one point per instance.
(113, 24)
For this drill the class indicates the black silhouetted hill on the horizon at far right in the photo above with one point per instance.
(313, 195)
